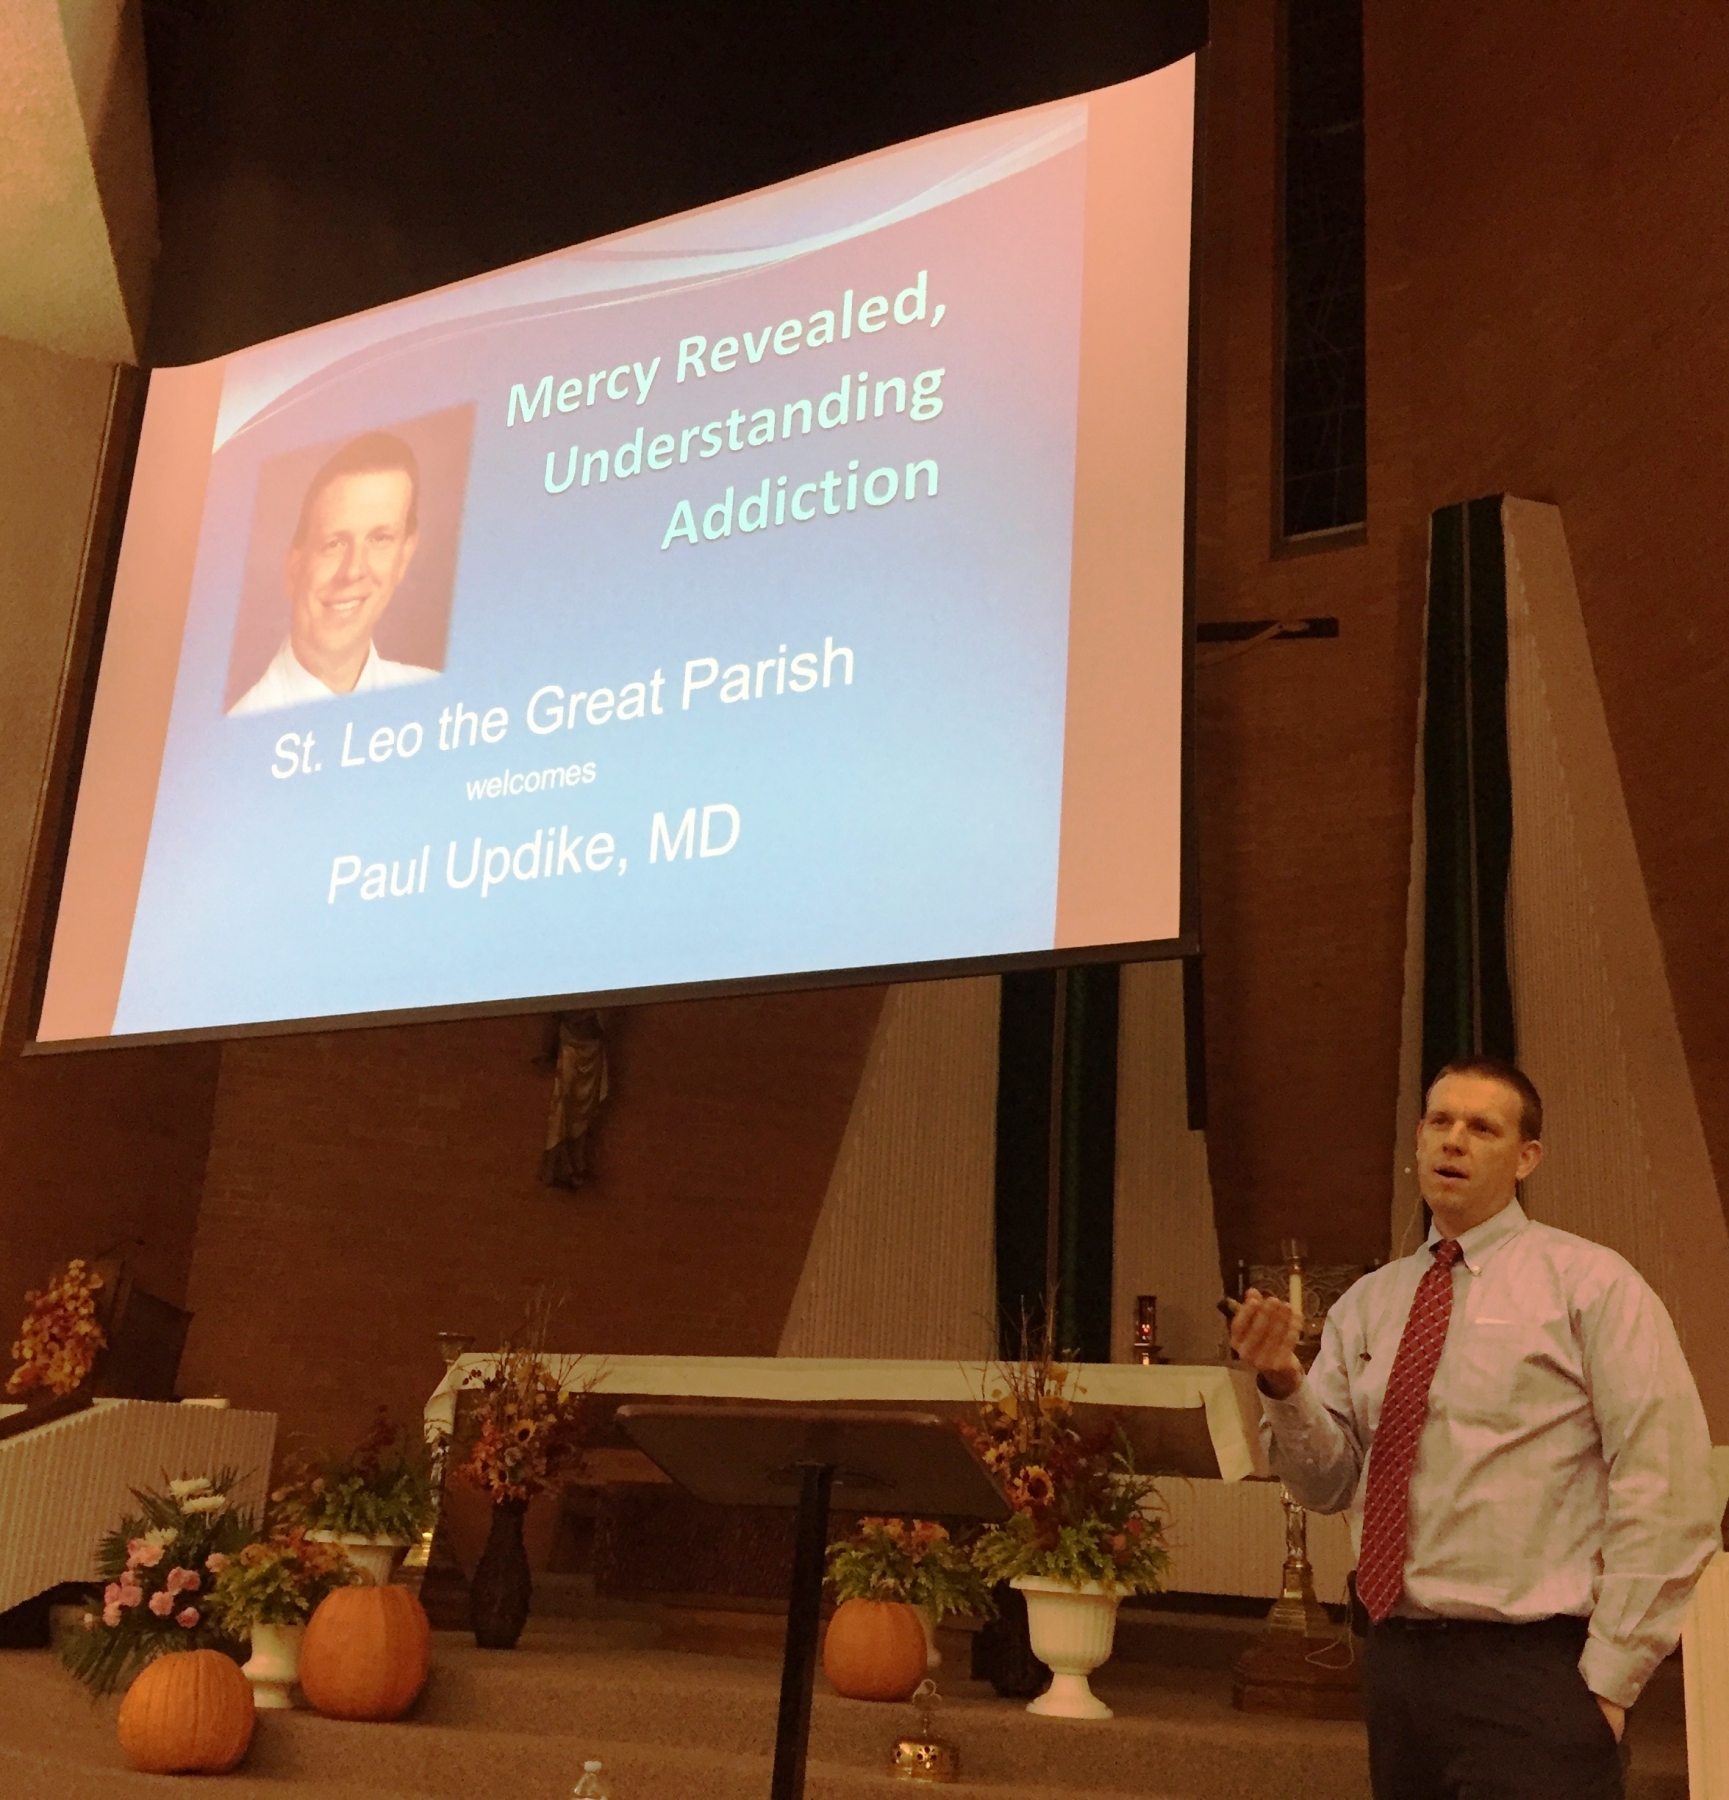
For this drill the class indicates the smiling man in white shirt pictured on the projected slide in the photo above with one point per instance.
(352, 548)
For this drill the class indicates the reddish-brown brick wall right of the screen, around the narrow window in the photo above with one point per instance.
(1545, 318)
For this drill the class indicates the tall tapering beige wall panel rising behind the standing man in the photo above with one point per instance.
(1627, 1158)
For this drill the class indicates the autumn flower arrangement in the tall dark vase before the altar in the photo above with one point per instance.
(532, 1417)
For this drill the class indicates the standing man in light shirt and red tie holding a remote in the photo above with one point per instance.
(1519, 1441)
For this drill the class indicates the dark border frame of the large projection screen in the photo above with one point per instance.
(93, 615)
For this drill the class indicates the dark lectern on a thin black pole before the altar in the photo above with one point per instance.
(814, 1459)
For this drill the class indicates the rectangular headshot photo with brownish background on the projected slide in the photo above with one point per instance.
(352, 566)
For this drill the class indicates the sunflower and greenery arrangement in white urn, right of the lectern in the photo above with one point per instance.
(1082, 1509)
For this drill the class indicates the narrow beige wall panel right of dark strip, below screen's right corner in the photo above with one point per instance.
(1165, 1237)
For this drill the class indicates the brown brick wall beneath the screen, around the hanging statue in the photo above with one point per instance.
(372, 1189)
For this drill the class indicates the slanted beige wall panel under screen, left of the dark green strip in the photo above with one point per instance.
(902, 1263)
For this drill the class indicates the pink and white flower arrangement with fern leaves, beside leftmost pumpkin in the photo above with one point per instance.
(159, 1567)
